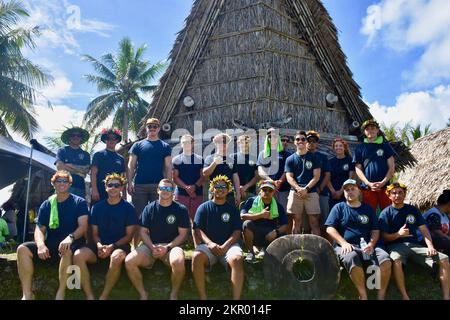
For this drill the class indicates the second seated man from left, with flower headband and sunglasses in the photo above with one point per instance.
(112, 224)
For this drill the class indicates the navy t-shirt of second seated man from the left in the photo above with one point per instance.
(112, 220)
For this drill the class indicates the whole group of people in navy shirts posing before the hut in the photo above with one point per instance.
(257, 197)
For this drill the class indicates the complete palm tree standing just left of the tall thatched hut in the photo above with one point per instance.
(123, 79)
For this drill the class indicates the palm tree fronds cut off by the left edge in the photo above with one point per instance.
(19, 77)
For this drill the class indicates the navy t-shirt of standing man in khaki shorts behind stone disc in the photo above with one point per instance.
(303, 168)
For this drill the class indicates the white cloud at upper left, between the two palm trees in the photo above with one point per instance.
(60, 22)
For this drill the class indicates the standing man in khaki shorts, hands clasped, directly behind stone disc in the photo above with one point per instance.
(303, 172)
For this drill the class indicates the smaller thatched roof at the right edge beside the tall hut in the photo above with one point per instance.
(431, 175)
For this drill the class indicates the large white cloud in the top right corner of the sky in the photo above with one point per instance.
(403, 25)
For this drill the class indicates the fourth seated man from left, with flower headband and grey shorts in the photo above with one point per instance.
(218, 226)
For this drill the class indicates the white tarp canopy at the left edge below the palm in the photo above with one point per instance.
(14, 160)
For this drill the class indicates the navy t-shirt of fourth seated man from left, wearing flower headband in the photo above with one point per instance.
(218, 222)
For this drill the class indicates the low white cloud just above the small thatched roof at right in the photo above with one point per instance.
(422, 107)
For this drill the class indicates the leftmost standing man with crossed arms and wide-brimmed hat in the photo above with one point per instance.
(73, 159)
